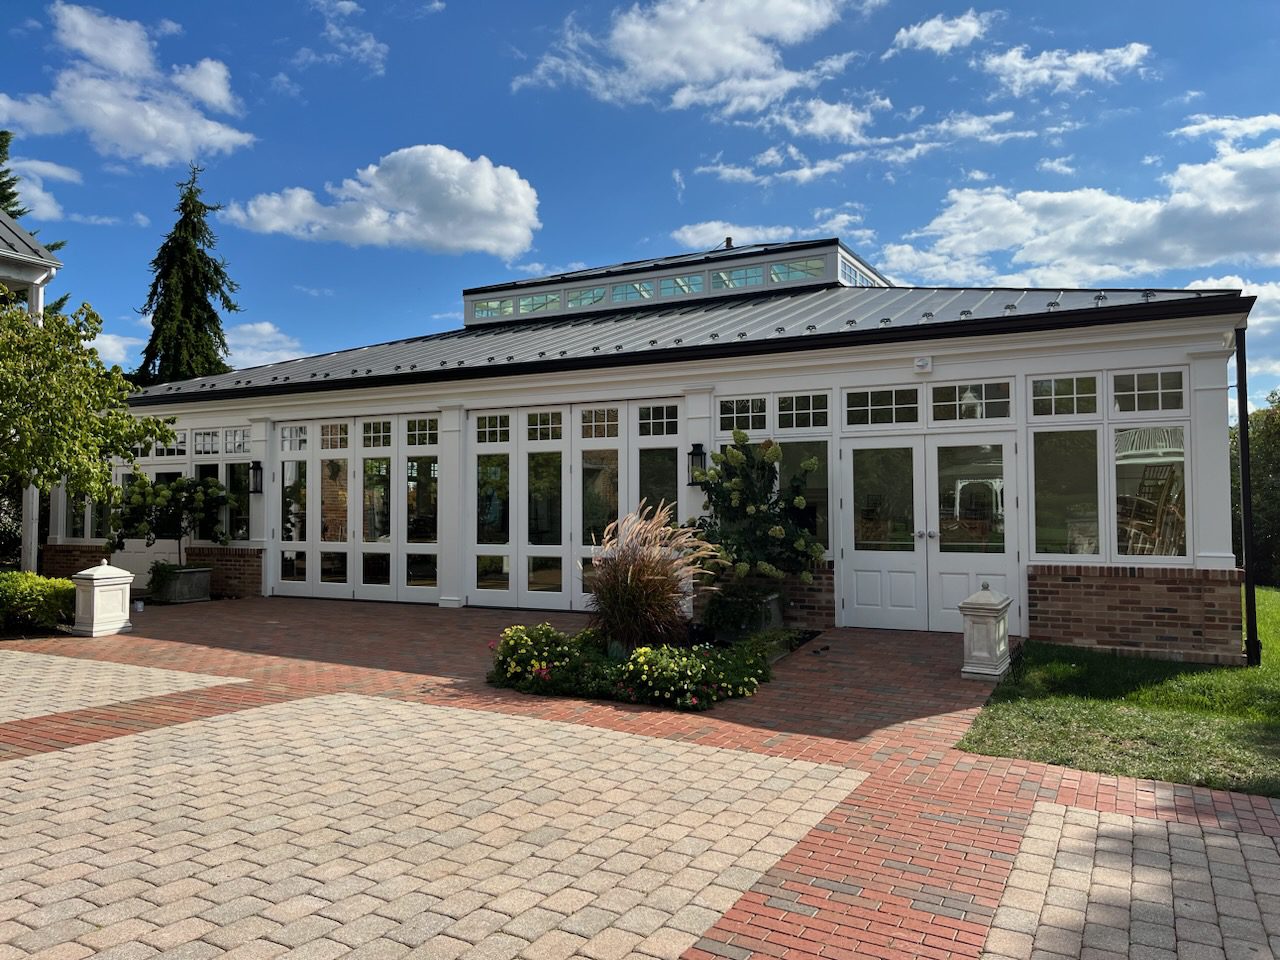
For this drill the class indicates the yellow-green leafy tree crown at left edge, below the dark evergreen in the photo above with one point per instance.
(63, 413)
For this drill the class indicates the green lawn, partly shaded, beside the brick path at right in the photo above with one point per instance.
(1187, 724)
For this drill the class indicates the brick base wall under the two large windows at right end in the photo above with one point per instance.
(1165, 612)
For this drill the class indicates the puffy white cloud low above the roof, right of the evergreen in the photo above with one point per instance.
(427, 198)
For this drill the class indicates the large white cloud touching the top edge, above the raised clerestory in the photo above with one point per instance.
(692, 53)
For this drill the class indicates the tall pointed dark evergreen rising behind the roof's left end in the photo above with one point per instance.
(189, 286)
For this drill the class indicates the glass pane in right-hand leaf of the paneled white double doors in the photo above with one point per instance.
(972, 499)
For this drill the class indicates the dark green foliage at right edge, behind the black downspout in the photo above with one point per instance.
(1265, 481)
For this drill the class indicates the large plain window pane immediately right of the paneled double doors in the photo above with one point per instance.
(1067, 492)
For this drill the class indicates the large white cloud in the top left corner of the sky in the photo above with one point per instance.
(113, 92)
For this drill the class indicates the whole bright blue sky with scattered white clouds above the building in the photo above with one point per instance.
(376, 161)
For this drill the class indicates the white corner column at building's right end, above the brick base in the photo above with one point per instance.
(1210, 468)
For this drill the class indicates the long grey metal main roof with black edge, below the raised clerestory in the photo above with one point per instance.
(765, 323)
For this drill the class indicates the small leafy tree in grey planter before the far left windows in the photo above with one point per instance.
(176, 510)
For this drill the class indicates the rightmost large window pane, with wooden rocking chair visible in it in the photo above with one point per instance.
(1151, 492)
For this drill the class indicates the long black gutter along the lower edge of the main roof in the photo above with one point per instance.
(950, 330)
